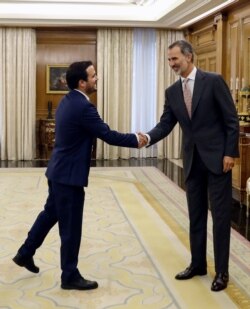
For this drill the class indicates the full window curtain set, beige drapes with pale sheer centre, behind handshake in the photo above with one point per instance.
(132, 66)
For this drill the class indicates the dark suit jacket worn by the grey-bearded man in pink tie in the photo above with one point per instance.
(214, 127)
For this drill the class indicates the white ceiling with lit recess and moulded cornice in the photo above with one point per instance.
(175, 14)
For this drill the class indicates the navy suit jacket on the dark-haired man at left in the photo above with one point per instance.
(77, 124)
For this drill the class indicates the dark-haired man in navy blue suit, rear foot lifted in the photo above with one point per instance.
(77, 125)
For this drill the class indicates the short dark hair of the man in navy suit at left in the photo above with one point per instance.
(76, 72)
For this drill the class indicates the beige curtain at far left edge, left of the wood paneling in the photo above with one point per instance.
(17, 93)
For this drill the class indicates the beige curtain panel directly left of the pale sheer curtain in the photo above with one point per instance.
(114, 70)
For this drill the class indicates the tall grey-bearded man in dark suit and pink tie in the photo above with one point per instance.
(210, 129)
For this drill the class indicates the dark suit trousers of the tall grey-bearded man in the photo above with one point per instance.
(206, 190)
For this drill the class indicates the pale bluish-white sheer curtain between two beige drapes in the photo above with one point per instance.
(144, 87)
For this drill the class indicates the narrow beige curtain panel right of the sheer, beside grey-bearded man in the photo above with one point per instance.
(170, 147)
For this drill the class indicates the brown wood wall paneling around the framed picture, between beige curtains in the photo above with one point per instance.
(59, 47)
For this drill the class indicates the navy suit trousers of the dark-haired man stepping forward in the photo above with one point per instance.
(65, 206)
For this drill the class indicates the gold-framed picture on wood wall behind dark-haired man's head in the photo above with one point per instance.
(56, 79)
